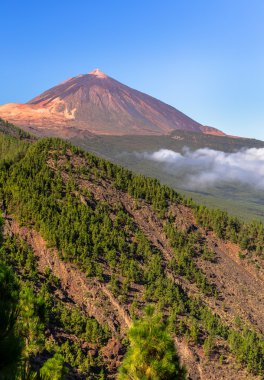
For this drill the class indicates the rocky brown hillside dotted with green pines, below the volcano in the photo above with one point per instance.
(92, 244)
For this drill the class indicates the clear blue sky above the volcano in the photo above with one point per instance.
(204, 57)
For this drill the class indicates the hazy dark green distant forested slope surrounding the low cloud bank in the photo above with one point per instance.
(243, 202)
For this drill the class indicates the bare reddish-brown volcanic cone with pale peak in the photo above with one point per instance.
(101, 105)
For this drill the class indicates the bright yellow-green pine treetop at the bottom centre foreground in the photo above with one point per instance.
(152, 354)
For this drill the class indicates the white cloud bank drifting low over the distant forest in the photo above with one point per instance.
(206, 167)
